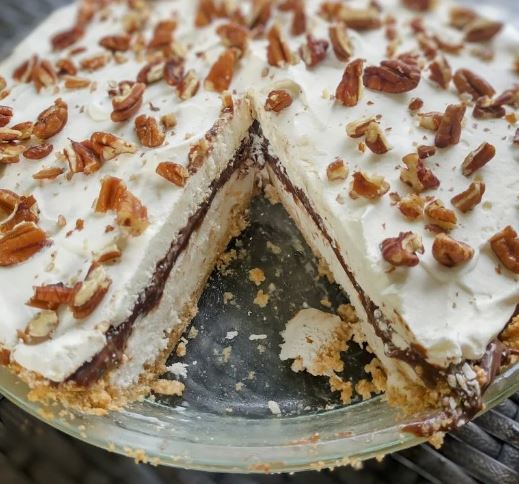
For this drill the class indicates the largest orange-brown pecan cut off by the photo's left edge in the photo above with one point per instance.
(21, 243)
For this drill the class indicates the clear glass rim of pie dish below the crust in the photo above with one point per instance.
(190, 439)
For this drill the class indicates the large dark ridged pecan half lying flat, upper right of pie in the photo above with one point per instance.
(392, 76)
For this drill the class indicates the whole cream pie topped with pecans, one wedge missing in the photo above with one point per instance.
(133, 141)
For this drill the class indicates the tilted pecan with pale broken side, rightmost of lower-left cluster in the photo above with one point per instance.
(89, 294)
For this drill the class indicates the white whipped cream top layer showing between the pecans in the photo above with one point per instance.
(451, 313)
